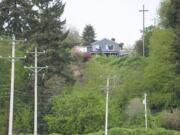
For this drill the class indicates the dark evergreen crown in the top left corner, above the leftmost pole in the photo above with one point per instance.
(16, 17)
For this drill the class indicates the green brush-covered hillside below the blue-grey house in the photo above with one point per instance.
(81, 108)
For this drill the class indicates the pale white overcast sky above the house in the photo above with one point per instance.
(119, 19)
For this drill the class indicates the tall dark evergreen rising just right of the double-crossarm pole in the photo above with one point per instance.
(50, 36)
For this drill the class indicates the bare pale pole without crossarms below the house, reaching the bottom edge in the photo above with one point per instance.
(107, 98)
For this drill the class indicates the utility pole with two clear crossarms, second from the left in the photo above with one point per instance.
(36, 69)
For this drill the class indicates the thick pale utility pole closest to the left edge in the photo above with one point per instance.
(11, 106)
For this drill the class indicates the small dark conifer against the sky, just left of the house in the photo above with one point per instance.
(88, 35)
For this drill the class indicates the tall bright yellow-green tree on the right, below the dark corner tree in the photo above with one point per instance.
(160, 70)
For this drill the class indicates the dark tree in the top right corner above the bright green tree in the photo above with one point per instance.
(170, 18)
